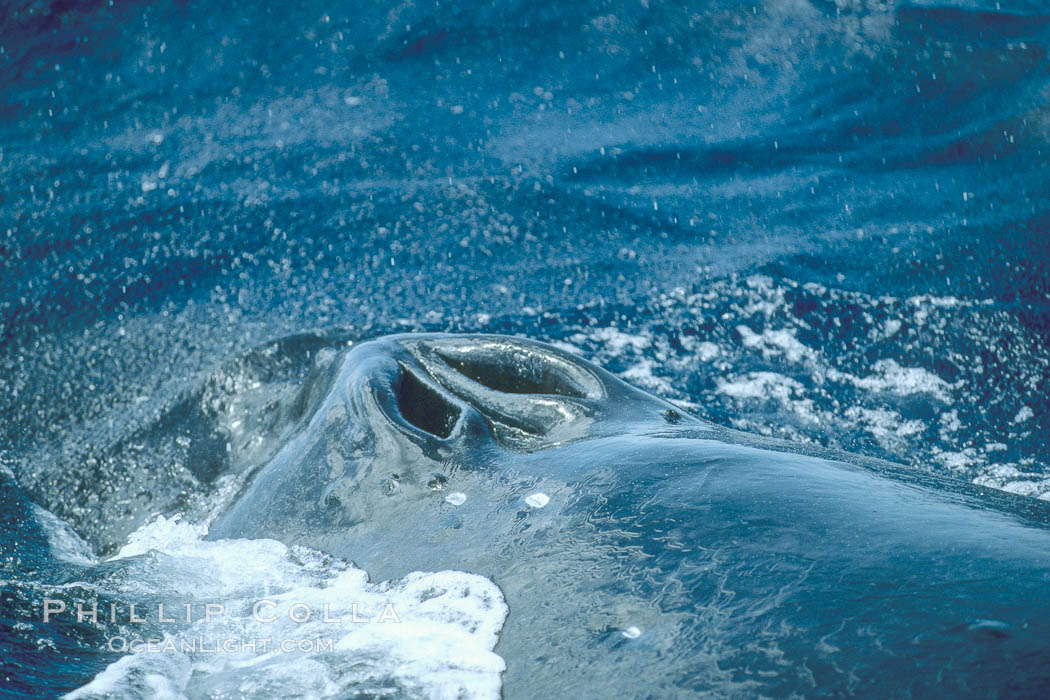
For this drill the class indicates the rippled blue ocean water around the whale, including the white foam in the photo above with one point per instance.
(813, 220)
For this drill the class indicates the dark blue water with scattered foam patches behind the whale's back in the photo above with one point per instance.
(906, 379)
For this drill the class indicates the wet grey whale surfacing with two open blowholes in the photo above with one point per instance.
(746, 566)
